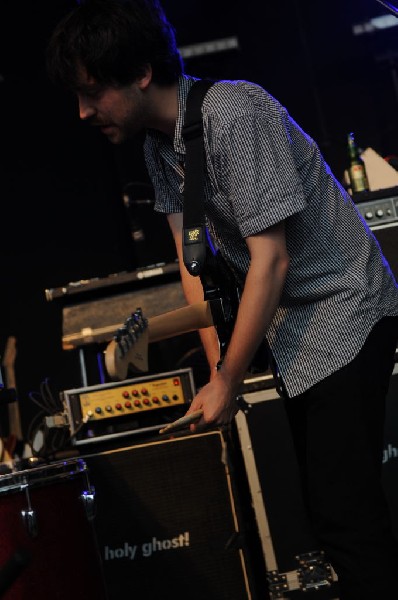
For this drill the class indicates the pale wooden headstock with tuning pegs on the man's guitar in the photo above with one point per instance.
(129, 347)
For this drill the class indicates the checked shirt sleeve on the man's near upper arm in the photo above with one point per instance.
(256, 158)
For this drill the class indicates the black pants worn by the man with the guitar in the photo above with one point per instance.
(338, 427)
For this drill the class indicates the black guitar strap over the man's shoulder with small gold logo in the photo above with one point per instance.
(194, 232)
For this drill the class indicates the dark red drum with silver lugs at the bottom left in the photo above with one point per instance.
(47, 542)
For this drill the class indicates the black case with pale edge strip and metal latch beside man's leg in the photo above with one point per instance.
(294, 562)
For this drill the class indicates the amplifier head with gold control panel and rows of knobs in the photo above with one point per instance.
(107, 411)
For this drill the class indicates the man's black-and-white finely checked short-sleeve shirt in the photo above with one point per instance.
(261, 169)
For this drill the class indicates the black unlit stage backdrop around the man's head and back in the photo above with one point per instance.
(62, 214)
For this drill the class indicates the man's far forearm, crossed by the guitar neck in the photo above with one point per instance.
(193, 292)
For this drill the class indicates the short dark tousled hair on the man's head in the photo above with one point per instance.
(114, 40)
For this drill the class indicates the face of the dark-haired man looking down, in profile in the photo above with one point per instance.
(120, 112)
